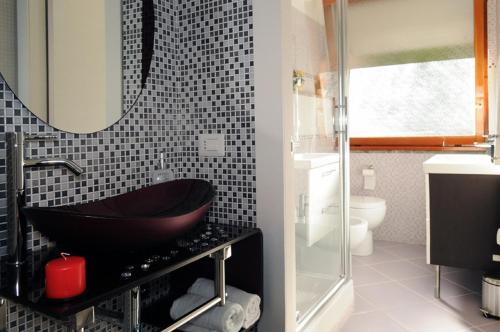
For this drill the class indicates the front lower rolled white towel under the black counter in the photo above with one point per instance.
(227, 318)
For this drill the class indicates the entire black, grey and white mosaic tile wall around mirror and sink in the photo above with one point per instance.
(201, 81)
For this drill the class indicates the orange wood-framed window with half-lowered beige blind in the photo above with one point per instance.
(417, 73)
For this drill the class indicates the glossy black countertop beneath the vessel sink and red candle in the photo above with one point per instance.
(105, 271)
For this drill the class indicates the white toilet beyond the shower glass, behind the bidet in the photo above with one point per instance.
(372, 210)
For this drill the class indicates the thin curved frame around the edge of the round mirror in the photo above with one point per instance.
(148, 41)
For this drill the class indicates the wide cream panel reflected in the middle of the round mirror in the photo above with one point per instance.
(83, 57)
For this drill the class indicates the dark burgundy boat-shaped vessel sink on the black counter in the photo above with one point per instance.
(138, 219)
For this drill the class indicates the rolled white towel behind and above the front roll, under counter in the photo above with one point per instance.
(249, 302)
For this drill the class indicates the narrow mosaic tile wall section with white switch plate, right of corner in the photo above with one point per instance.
(217, 97)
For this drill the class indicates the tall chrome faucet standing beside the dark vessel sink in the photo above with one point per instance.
(16, 163)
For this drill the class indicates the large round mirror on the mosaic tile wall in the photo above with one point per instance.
(79, 65)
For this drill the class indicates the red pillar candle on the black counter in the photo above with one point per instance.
(65, 277)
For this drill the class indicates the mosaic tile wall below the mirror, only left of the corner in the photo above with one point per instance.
(115, 160)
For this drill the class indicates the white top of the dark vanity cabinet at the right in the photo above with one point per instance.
(461, 164)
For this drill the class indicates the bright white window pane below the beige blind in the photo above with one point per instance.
(418, 99)
